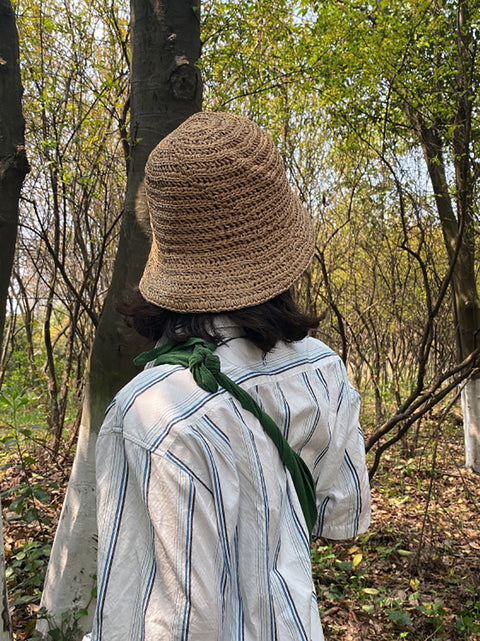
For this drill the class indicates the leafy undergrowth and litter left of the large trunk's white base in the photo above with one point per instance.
(28, 493)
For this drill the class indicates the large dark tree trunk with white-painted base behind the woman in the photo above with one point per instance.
(165, 90)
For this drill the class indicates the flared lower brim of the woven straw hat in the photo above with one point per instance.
(244, 278)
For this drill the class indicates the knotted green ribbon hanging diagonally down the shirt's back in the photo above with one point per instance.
(197, 355)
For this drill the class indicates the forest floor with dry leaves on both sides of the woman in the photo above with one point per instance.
(414, 575)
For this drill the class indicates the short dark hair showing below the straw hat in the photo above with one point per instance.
(279, 319)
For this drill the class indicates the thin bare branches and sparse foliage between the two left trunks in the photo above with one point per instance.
(75, 80)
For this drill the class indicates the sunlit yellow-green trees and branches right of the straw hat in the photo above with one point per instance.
(333, 82)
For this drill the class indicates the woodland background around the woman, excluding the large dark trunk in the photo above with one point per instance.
(374, 108)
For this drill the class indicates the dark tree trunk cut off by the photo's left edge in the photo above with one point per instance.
(13, 169)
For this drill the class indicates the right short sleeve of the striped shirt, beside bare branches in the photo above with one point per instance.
(343, 489)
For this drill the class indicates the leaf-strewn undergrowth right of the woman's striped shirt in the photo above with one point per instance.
(416, 573)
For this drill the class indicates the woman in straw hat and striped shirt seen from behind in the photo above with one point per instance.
(209, 460)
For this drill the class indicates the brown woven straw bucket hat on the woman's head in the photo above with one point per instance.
(228, 232)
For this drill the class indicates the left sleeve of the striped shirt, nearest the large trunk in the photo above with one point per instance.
(160, 559)
